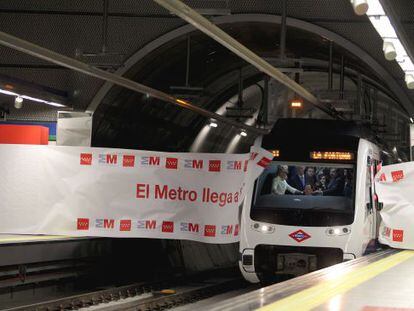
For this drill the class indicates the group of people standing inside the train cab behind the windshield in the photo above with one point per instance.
(312, 181)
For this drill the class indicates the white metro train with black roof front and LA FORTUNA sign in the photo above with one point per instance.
(315, 204)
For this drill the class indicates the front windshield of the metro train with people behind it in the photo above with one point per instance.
(305, 194)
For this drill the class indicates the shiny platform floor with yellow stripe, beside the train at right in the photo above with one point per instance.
(380, 282)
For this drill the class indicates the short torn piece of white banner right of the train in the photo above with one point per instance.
(395, 188)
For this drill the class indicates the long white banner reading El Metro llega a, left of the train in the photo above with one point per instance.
(81, 191)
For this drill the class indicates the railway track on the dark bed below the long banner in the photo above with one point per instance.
(141, 296)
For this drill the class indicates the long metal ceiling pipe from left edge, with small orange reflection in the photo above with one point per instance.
(64, 61)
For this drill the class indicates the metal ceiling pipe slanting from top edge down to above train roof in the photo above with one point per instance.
(207, 27)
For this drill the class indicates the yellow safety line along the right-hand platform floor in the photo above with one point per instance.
(319, 294)
